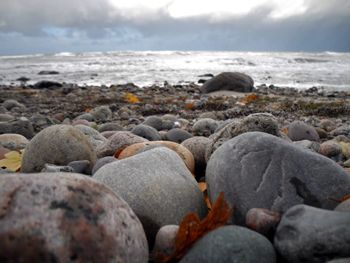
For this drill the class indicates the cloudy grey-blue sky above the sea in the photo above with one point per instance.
(51, 26)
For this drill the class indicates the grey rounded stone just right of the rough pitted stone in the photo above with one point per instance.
(298, 131)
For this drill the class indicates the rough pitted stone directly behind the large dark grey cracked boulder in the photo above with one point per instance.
(262, 122)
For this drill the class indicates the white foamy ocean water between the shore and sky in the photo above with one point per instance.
(328, 70)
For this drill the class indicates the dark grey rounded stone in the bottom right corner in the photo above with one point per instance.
(309, 234)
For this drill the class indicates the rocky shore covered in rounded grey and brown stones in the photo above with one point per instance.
(106, 174)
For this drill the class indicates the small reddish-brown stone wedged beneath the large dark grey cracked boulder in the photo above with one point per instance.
(263, 221)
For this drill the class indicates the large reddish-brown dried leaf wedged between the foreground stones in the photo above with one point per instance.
(192, 228)
